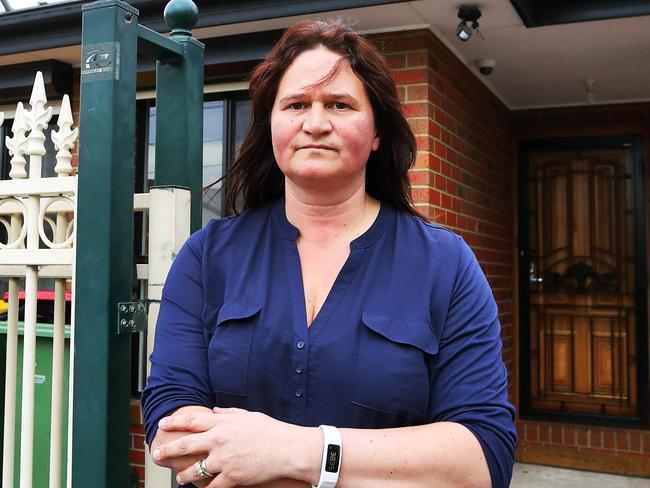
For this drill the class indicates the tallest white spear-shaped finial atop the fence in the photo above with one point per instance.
(37, 119)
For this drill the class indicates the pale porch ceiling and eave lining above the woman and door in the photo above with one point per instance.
(542, 66)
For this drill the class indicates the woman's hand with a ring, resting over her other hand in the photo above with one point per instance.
(241, 448)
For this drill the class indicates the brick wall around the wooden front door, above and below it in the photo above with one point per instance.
(625, 451)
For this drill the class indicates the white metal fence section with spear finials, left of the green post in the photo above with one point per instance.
(27, 203)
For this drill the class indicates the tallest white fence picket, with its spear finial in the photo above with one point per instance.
(37, 120)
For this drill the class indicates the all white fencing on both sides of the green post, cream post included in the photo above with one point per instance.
(33, 251)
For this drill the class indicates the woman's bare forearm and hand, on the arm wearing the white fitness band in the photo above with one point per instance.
(252, 449)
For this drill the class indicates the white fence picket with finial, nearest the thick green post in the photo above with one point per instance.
(64, 141)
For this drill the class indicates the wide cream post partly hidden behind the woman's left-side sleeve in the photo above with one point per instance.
(165, 240)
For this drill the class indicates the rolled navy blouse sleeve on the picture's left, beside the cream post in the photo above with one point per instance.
(179, 375)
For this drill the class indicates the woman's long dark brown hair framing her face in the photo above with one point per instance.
(255, 178)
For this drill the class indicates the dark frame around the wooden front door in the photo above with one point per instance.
(636, 143)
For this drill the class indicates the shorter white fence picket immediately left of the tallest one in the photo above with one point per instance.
(17, 146)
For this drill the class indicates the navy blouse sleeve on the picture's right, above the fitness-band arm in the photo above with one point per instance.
(469, 379)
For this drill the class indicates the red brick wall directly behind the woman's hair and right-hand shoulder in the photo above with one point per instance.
(463, 176)
